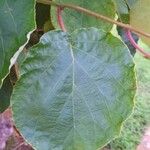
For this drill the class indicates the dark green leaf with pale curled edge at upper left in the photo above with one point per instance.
(16, 20)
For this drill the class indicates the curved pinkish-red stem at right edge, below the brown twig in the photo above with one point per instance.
(141, 50)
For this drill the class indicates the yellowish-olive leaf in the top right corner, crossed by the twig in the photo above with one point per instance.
(140, 17)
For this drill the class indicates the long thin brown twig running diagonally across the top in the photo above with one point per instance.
(96, 15)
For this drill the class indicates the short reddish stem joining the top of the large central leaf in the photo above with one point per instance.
(60, 19)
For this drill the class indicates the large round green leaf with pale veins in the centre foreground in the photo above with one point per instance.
(75, 90)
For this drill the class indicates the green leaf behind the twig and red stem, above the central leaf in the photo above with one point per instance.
(74, 20)
